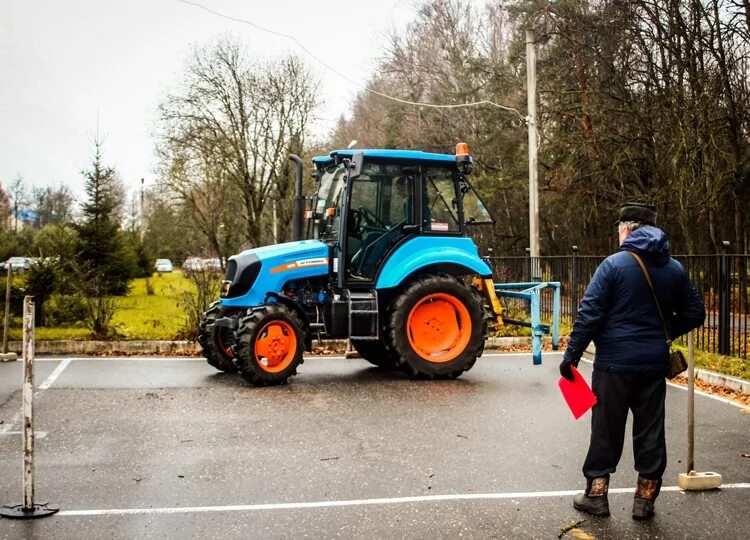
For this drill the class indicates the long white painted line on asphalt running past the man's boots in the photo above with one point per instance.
(356, 502)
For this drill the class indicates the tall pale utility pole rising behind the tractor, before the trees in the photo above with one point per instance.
(533, 179)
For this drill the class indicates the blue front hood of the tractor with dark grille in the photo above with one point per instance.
(254, 273)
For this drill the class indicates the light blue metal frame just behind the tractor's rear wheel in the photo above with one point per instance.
(531, 292)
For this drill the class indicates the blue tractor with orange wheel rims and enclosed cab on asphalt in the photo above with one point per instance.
(386, 264)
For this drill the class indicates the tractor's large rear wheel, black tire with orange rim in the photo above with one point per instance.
(437, 327)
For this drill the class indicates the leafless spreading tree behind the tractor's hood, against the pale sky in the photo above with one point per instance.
(226, 131)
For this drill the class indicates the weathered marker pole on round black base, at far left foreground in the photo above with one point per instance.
(29, 509)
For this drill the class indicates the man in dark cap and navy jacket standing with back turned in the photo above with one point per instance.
(619, 314)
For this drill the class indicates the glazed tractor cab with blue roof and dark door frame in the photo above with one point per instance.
(369, 202)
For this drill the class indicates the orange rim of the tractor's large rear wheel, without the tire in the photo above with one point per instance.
(439, 327)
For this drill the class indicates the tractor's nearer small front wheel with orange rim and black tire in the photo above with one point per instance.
(270, 342)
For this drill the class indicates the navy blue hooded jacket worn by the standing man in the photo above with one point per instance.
(619, 314)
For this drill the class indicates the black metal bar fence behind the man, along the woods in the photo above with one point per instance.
(723, 280)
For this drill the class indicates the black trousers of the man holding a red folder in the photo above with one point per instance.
(617, 393)
